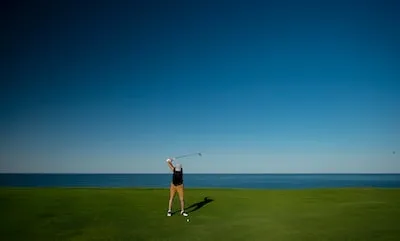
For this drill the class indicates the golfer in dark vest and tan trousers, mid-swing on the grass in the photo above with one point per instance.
(176, 187)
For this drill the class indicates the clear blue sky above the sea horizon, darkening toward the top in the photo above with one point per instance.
(256, 86)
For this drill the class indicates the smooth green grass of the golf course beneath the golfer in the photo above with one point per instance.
(140, 214)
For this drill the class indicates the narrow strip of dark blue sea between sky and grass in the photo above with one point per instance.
(258, 181)
